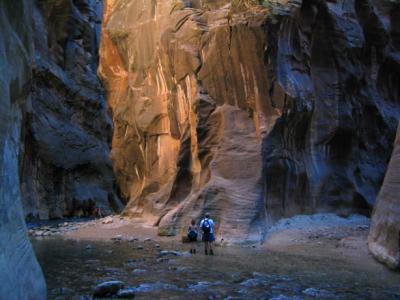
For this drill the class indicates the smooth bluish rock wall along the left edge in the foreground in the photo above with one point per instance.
(20, 275)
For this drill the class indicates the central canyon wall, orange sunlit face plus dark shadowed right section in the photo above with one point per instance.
(250, 114)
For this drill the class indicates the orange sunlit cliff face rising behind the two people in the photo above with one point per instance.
(189, 92)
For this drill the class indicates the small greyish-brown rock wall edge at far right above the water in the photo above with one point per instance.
(384, 236)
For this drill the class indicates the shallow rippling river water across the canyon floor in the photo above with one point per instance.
(73, 268)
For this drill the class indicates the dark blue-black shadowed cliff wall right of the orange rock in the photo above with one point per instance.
(338, 62)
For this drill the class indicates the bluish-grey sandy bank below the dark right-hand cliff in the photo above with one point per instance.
(323, 236)
